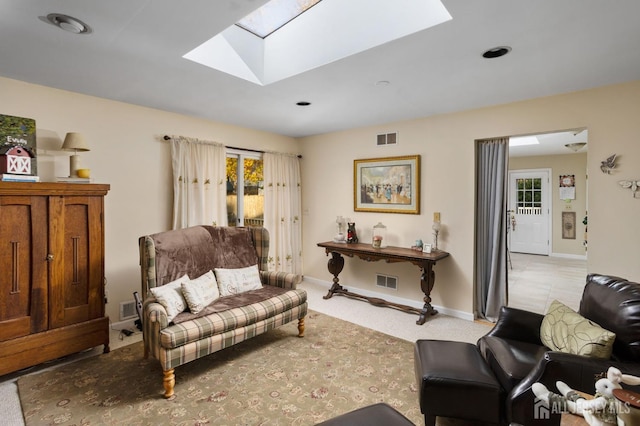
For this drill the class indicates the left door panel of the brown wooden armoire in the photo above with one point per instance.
(23, 281)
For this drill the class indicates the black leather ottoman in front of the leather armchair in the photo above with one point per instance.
(454, 381)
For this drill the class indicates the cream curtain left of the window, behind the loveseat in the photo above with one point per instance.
(199, 183)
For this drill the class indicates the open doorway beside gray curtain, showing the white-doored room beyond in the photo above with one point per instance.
(557, 270)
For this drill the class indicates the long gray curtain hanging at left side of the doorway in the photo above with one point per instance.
(491, 222)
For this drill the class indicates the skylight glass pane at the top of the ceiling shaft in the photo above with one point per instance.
(274, 15)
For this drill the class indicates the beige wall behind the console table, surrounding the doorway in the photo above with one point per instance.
(446, 144)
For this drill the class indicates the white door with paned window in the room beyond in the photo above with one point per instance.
(529, 204)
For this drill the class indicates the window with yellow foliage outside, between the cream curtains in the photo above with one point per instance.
(245, 189)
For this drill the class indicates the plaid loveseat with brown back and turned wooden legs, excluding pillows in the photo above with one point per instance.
(194, 251)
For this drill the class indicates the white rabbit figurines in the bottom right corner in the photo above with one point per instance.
(599, 411)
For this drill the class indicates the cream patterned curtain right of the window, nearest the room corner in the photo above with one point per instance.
(282, 206)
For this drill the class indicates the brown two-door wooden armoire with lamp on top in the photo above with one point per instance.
(51, 271)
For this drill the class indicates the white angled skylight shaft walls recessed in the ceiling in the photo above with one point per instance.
(329, 31)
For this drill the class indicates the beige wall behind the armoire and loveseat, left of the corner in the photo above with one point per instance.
(128, 153)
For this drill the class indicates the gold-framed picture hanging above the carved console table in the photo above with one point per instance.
(387, 185)
